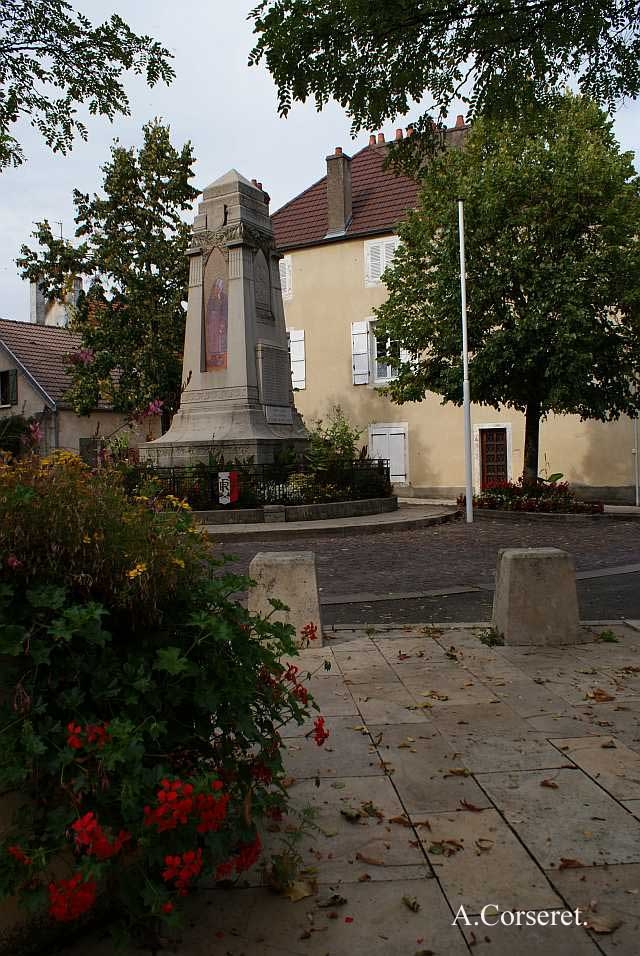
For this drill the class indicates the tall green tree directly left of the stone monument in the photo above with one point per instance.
(133, 243)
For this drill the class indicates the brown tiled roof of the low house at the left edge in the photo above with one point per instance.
(42, 350)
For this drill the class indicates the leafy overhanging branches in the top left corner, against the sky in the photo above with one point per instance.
(53, 59)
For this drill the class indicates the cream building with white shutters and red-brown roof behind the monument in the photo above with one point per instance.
(337, 237)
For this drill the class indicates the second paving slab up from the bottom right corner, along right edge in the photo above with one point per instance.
(573, 820)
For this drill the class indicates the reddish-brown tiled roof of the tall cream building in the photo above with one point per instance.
(380, 199)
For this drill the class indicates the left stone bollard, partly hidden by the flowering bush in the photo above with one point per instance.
(289, 576)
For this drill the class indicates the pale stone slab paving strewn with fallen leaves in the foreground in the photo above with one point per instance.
(456, 774)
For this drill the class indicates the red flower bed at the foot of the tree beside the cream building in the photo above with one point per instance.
(542, 497)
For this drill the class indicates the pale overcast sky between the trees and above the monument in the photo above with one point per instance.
(225, 108)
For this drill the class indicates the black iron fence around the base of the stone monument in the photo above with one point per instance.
(254, 485)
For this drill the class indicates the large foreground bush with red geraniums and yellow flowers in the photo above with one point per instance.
(139, 703)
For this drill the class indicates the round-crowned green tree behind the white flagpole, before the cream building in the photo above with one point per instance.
(553, 271)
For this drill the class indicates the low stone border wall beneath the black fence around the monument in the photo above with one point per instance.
(312, 512)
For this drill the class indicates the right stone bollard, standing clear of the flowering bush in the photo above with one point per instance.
(535, 601)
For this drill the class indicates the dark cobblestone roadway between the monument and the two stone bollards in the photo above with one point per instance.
(447, 554)
